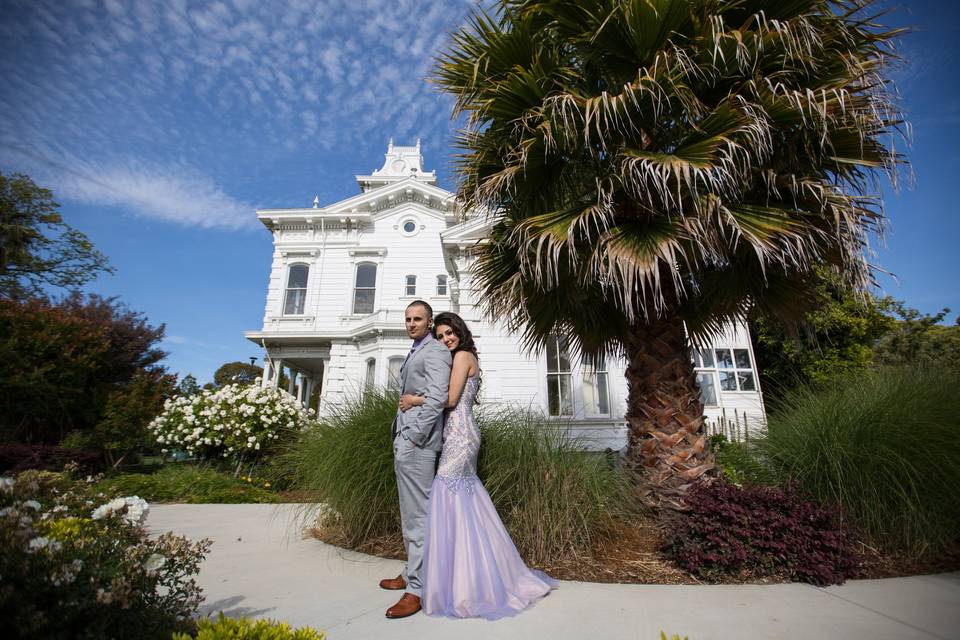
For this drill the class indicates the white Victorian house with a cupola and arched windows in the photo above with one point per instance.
(343, 275)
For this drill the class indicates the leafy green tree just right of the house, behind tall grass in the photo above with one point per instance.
(836, 336)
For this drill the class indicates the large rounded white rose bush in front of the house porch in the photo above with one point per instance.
(234, 422)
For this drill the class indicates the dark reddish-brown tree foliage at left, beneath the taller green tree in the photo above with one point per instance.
(83, 363)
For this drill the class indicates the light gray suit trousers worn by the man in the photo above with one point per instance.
(415, 468)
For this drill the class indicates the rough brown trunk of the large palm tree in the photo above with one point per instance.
(664, 413)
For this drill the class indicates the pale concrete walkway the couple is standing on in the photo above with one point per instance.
(260, 566)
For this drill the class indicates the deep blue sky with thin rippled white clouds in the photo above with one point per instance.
(162, 126)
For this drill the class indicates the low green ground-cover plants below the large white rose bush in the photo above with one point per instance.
(191, 484)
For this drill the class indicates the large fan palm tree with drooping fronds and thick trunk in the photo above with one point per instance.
(658, 167)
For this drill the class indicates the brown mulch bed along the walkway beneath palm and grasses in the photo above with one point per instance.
(632, 557)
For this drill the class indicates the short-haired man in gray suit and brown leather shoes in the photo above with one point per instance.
(417, 437)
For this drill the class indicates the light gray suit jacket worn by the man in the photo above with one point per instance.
(426, 372)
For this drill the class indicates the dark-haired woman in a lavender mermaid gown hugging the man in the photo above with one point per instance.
(471, 567)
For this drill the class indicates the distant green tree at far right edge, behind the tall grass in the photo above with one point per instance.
(918, 337)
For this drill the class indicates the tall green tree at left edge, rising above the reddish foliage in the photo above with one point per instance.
(37, 248)
